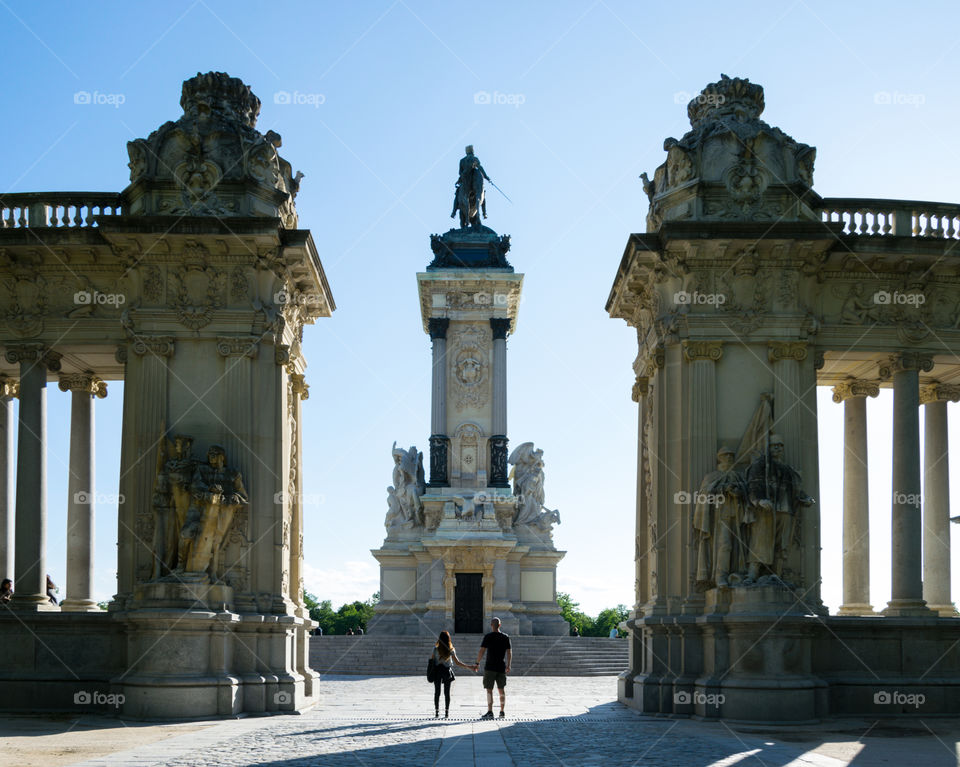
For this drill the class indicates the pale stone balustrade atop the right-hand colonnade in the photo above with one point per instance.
(900, 218)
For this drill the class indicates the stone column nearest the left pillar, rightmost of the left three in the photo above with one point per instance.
(81, 492)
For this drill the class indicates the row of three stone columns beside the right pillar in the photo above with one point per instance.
(920, 551)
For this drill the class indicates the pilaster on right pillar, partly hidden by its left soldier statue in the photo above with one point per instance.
(702, 357)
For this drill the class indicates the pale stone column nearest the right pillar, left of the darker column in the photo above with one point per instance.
(856, 504)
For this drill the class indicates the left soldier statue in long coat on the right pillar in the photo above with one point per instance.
(718, 522)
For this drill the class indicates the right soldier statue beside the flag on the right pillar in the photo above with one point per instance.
(775, 499)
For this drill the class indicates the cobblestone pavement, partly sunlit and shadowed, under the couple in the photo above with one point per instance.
(380, 721)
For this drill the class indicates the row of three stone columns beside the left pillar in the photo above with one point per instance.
(23, 535)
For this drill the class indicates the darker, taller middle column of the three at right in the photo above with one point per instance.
(907, 528)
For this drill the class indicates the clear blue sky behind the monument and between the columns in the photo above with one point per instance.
(385, 96)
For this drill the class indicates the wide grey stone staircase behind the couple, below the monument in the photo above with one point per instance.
(407, 655)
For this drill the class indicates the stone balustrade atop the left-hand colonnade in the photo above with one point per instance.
(31, 210)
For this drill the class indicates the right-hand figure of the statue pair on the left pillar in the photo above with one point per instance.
(216, 493)
